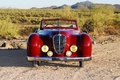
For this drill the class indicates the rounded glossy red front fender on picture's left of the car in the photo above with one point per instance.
(34, 44)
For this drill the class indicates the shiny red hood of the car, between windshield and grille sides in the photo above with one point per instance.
(47, 37)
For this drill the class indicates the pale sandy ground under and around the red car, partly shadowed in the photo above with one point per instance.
(105, 65)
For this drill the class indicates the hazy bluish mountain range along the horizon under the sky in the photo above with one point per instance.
(78, 5)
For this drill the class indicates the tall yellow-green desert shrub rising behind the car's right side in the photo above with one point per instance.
(100, 18)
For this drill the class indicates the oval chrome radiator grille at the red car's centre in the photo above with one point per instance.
(59, 41)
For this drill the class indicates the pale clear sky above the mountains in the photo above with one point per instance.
(46, 3)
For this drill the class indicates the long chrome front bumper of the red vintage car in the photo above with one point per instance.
(58, 58)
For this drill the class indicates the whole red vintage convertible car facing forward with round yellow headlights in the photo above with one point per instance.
(59, 40)
